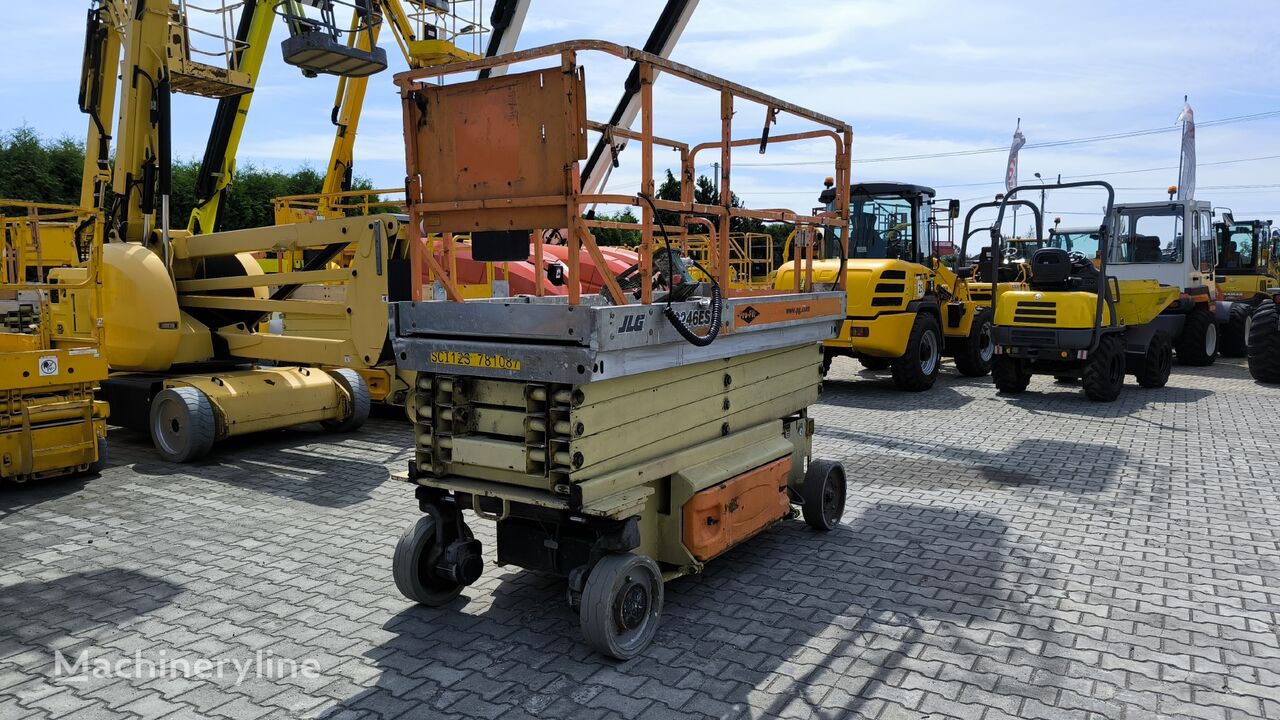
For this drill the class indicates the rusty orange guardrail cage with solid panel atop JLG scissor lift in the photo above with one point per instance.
(438, 202)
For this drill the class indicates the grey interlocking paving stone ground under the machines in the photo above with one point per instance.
(1039, 557)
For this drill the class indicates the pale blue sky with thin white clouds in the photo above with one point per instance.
(912, 78)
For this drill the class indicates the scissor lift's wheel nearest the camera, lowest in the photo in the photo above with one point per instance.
(621, 605)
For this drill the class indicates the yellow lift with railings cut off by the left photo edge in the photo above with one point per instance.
(52, 357)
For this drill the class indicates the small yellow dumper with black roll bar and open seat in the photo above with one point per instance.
(1075, 321)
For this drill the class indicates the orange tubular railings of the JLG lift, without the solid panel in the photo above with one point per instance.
(573, 202)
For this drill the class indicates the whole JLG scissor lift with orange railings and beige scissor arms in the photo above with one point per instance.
(624, 439)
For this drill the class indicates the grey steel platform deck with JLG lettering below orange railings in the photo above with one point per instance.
(548, 340)
